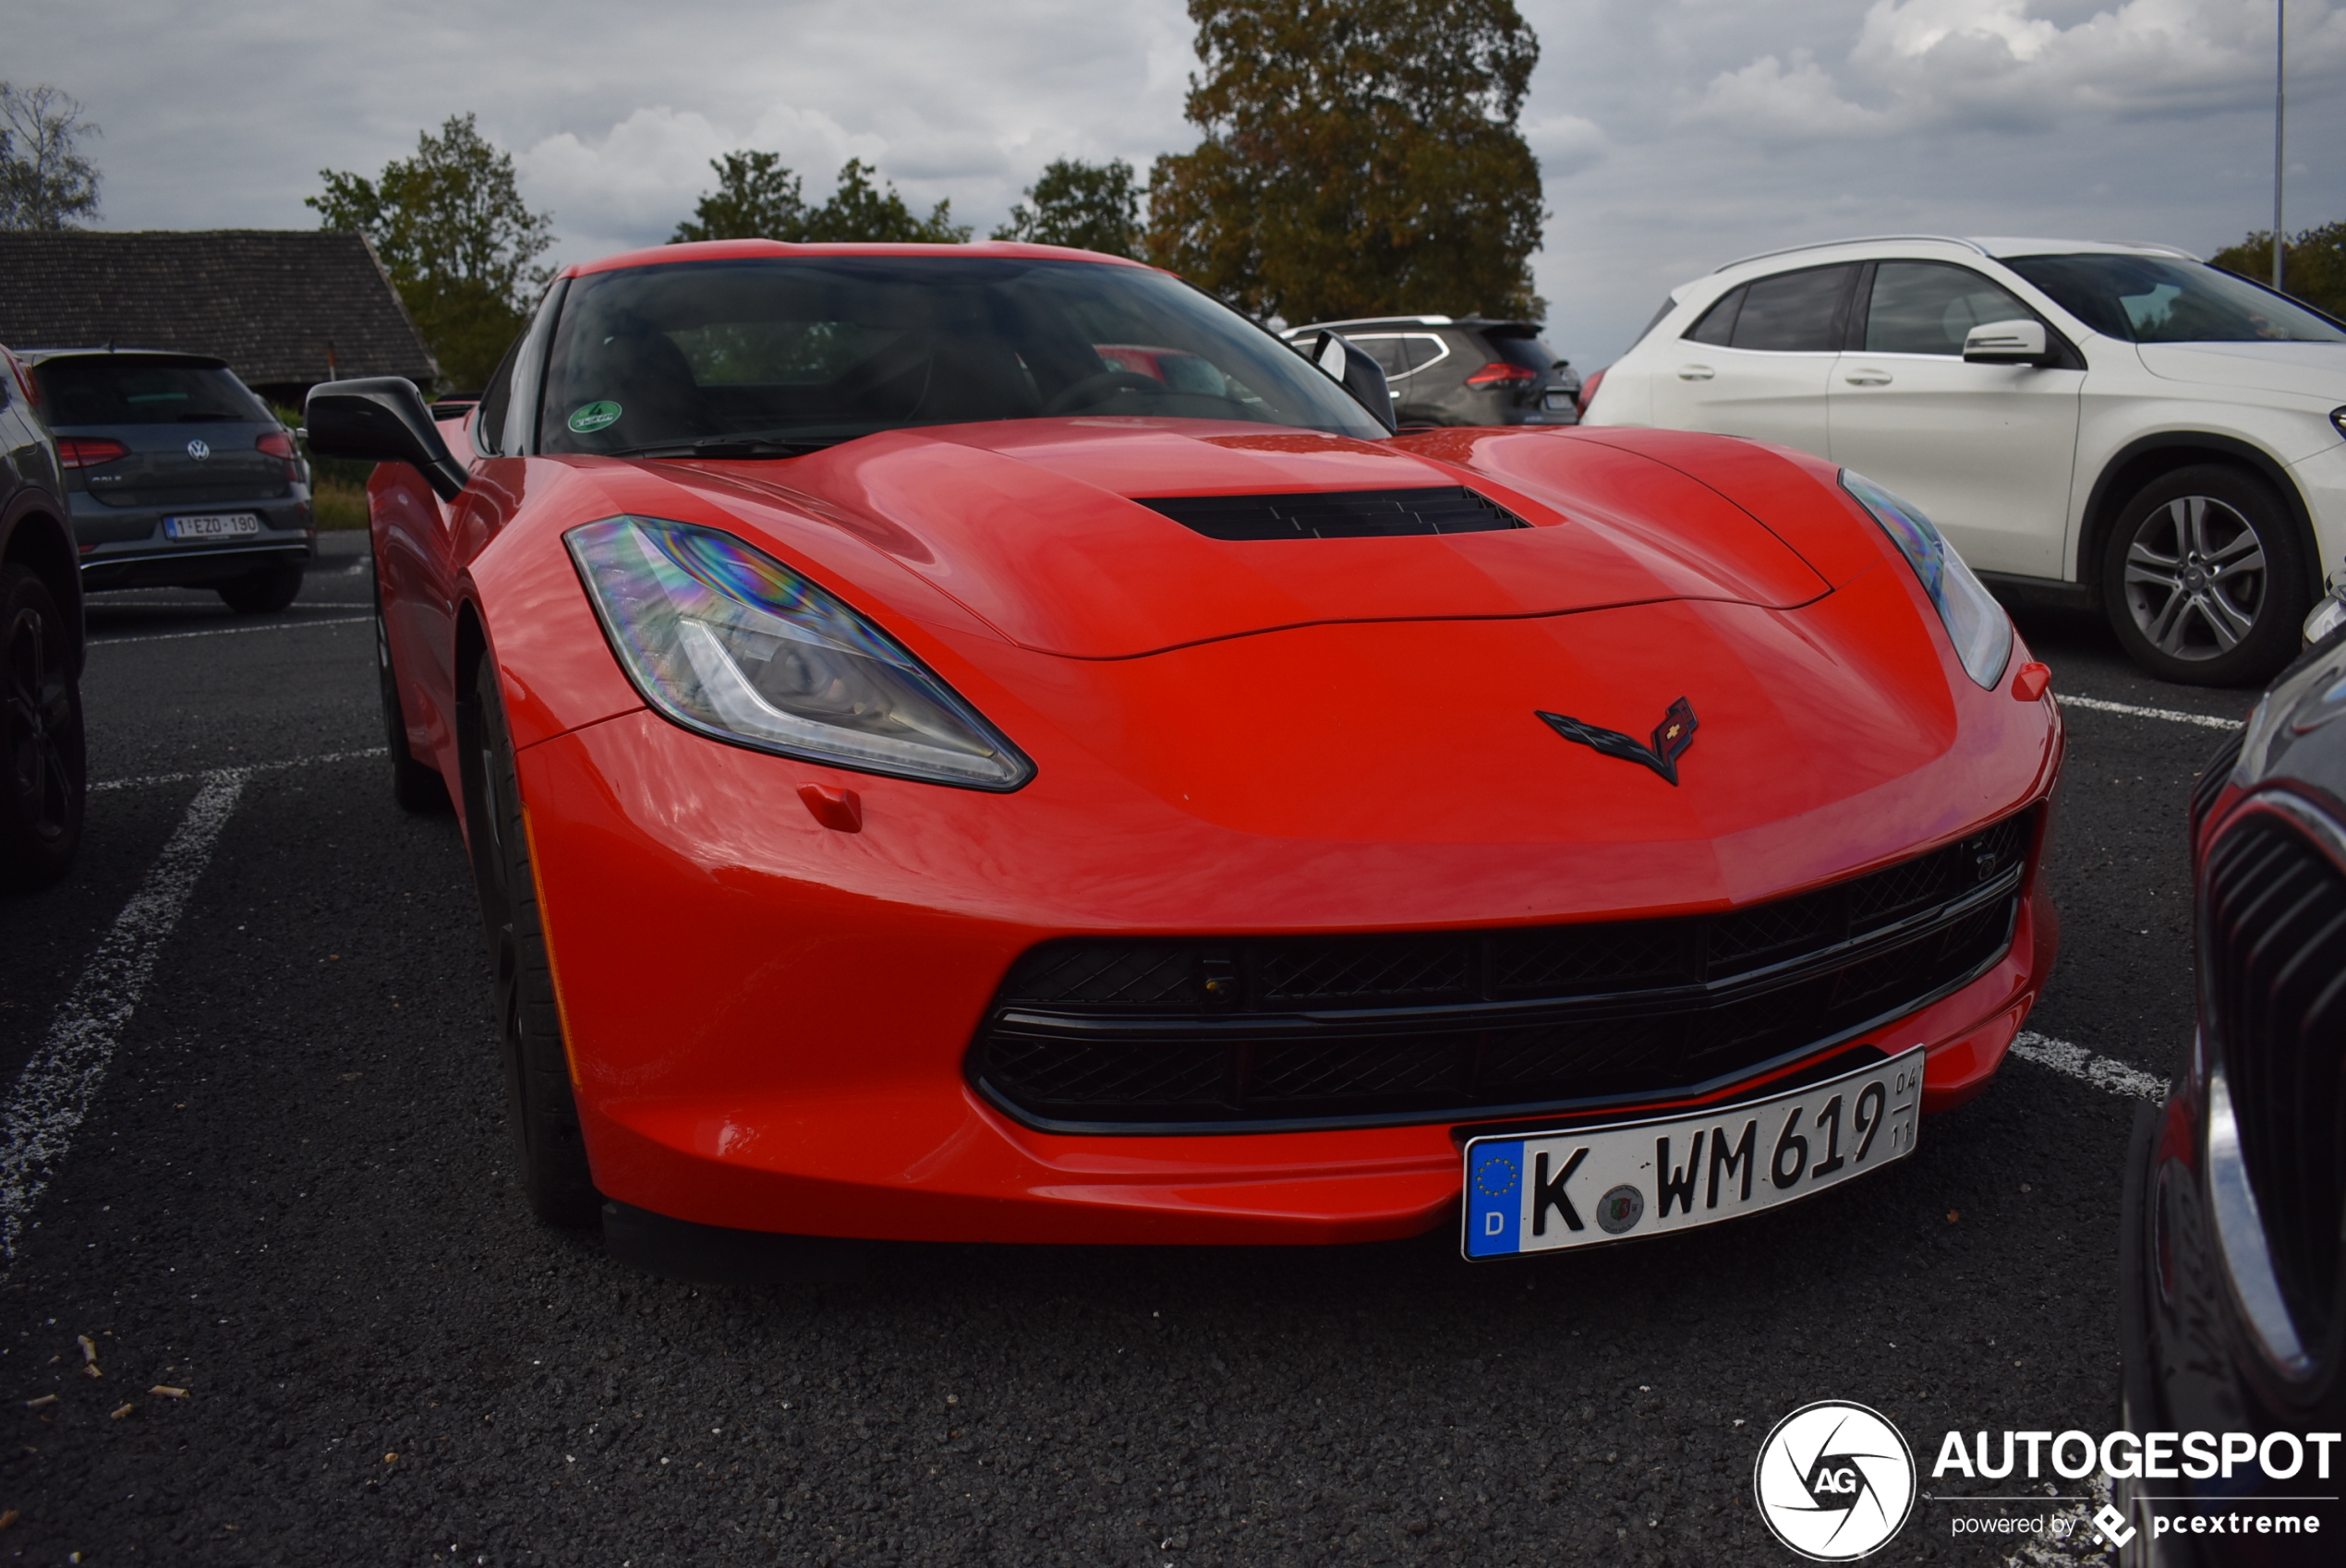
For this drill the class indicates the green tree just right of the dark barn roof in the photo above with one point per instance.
(456, 238)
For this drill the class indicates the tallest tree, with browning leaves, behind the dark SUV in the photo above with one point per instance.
(1362, 158)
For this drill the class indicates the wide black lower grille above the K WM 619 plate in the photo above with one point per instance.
(1252, 1032)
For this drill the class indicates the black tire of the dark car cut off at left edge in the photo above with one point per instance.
(46, 782)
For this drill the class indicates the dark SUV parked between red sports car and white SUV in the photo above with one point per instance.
(1467, 371)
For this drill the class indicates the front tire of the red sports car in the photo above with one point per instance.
(552, 1152)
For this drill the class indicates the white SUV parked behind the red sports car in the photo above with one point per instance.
(2117, 428)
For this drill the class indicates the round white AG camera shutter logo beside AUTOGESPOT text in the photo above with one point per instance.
(1836, 1482)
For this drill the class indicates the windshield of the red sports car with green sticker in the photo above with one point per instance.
(785, 355)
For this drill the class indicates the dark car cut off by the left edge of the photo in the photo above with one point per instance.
(41, 648)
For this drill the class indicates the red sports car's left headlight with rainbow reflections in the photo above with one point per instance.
(738, 646)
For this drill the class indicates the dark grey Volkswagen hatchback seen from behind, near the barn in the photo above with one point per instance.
(177, 475)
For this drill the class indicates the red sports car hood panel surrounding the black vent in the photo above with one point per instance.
(1036, 529)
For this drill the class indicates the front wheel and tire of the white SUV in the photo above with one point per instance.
(2206, 578)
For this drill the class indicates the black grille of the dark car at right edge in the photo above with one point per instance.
(2277, 979)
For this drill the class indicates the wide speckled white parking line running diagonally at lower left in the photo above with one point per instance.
(55, 1089)
